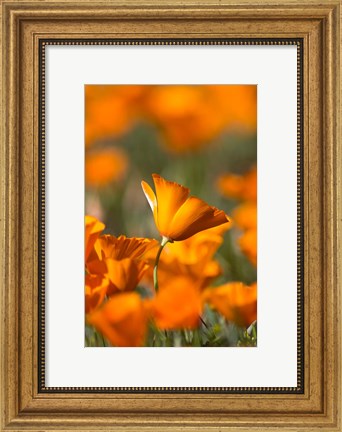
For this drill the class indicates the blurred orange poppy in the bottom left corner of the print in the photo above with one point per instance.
(122, 320)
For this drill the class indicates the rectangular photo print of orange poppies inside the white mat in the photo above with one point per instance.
(171, 215)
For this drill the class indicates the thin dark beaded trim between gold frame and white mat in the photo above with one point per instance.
(299, 389)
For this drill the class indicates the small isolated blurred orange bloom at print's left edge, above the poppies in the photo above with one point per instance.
(105, 166)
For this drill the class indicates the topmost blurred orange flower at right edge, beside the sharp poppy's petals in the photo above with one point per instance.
(242, 187)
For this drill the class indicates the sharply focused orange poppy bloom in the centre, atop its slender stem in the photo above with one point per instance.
(177, 215)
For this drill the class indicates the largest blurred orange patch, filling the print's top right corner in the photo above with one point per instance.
(191, 116)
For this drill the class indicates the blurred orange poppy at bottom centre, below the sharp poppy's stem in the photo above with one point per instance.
(177, 306)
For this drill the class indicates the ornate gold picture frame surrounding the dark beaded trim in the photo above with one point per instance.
(24, 404)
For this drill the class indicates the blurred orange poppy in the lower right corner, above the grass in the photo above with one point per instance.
(235, 301)
